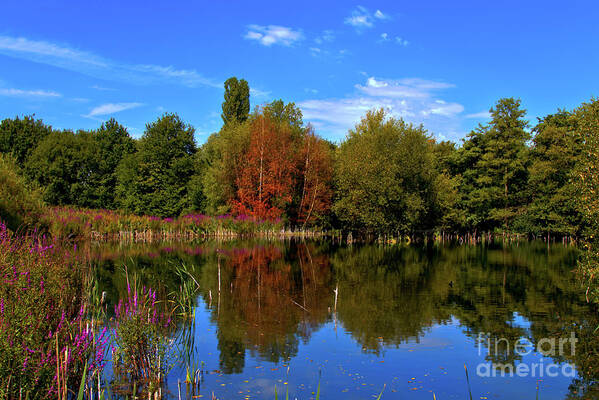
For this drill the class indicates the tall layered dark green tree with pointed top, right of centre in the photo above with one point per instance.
(493, 166)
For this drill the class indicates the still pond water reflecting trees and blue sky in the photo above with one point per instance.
(360, 319)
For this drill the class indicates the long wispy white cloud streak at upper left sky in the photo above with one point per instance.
(88, 63)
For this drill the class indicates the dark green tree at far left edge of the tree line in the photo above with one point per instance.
(20, 136)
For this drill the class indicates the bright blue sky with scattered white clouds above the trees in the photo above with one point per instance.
(442, 64)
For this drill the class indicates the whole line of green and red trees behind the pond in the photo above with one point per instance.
(386, 176)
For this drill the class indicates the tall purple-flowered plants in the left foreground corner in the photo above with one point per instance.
(46, 340)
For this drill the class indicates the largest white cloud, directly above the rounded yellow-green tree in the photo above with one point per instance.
(413, 99)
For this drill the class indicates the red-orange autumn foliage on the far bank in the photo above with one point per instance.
(285, 173)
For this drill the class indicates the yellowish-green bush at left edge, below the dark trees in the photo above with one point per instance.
(19, 206)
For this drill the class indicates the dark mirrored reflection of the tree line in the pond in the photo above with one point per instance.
(267, 299)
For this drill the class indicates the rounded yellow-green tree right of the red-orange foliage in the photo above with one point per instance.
(385, 176)
